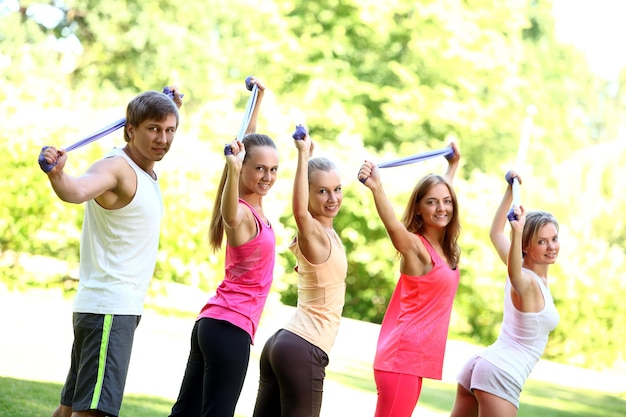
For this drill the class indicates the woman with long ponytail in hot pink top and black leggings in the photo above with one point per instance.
(225, 328)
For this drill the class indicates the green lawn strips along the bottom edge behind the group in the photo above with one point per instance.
(21, 398)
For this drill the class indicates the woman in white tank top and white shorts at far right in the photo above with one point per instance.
(490, 383)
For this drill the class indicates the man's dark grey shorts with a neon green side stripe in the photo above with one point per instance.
(100, 357)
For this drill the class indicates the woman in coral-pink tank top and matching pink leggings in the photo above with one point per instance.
(413, 334)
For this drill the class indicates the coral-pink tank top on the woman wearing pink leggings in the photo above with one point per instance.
(414, 331)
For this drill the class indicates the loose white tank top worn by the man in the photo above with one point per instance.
(118, 249)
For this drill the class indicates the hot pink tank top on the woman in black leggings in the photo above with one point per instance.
(241, 296)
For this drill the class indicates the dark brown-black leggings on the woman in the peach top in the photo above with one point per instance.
(292, 377)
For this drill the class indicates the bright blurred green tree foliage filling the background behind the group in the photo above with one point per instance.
(375, 80)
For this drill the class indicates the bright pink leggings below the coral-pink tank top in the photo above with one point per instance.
(397, 393)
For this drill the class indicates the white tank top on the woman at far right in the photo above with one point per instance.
(523, 336)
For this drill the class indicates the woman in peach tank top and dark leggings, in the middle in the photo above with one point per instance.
(294, 359)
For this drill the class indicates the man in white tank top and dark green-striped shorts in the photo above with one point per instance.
(118, 251)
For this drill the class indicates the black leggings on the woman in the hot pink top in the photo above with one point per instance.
(216, 369)
